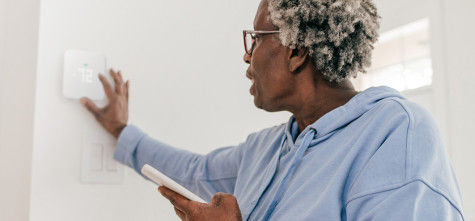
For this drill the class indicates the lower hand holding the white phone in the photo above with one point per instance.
(223, 207)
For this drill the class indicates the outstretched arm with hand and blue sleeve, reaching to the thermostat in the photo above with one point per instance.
(202, 174)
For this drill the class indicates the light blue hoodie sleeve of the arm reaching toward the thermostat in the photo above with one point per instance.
(202, 174)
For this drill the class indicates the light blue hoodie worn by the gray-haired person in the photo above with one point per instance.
(378, 157)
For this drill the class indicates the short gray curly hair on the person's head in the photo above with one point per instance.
(339, 34)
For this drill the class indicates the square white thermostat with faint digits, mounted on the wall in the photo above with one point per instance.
(80, 77)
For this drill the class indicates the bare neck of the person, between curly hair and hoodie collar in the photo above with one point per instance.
(315, 100)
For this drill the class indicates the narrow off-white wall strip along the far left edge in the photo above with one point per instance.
(18, 47)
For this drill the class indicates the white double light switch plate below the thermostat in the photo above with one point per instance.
(97, 161)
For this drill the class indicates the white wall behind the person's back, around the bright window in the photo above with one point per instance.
(452, 92)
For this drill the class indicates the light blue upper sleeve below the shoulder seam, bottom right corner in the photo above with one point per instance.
(414, 200)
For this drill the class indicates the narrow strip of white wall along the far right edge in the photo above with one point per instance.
(459, 34)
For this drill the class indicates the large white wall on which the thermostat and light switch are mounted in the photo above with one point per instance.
(188, 89)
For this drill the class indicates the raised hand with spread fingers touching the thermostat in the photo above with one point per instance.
(115, 115)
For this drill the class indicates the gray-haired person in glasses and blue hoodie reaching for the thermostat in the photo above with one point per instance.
(342, 155)
